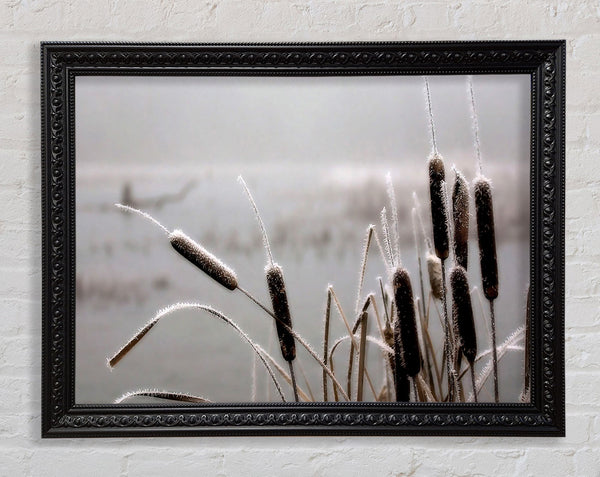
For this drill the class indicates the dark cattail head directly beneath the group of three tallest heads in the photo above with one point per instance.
(462, 313)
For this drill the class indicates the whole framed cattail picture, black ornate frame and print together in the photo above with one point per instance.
(351, 238)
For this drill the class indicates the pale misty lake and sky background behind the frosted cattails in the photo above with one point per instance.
(315, 152)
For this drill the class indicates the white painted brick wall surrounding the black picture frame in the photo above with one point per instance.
(26, 22)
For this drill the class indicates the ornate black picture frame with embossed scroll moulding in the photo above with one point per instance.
(544, 61)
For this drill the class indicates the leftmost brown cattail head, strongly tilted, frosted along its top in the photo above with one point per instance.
(203, 259)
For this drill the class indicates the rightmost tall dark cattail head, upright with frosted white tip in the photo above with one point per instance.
(486, 236)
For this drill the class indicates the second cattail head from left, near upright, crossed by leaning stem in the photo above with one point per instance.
(281, 310)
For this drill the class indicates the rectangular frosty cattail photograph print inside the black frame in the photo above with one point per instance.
(302, 238)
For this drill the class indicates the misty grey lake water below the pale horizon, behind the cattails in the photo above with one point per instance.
(316, 218)
